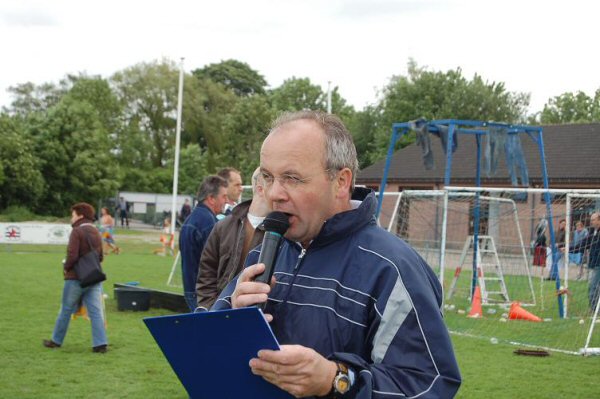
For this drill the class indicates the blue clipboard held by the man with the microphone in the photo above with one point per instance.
(210, 352)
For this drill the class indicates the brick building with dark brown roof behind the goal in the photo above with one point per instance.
(572, 159)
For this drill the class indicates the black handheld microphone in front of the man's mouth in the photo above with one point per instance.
(275, 224)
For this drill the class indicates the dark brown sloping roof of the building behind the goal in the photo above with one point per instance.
(572, 159)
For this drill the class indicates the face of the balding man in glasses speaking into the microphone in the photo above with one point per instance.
(292, 165)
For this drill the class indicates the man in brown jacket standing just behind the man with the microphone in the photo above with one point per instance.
(229, 243)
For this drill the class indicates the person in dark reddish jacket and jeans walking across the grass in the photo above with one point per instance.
(84, 232)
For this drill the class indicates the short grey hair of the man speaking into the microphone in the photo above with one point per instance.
(340, 151)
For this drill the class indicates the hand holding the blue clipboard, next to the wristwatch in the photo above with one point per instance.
(296, 369)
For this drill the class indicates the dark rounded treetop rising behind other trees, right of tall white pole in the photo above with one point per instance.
(234, 75)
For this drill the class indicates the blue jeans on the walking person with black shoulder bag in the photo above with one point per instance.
(92, 299)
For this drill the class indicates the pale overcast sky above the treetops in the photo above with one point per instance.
(544, 48)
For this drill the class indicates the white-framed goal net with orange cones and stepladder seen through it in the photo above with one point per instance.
(496, 244)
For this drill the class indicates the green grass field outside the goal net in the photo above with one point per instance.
(134, 367)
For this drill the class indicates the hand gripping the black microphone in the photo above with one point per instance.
(249, 292)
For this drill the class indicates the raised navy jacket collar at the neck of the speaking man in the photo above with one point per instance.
(343, 224)
